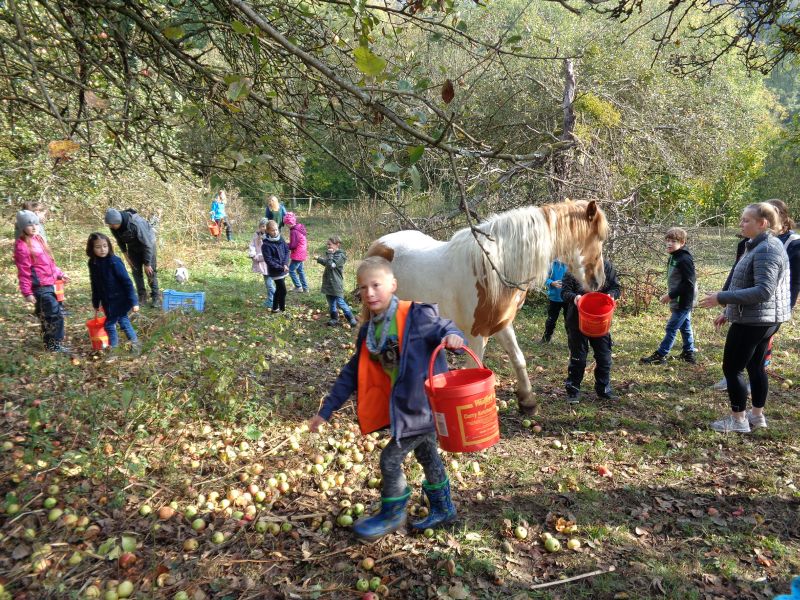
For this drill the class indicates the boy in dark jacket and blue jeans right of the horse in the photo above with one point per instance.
(681, 295)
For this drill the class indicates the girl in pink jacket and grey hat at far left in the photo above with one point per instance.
(37, 273)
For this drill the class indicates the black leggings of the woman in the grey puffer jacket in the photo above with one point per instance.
(745, 348)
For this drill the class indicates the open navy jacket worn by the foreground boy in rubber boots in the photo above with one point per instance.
(409, 410)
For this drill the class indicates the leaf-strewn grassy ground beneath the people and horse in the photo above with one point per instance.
(682, 515)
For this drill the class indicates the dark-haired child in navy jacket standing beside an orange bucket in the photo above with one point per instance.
(112, 289)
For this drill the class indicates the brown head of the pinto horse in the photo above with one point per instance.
(582, 248)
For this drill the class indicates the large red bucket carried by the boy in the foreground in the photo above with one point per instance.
(464, 406)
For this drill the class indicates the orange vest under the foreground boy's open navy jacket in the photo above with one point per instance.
(374, 384)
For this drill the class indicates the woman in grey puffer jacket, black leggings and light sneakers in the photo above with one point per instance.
(756, 300)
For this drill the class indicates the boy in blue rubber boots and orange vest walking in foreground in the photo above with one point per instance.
(388, 370)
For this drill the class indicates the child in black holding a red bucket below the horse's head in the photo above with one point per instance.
(571, 292)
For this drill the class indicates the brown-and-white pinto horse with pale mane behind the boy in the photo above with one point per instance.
(469, 289)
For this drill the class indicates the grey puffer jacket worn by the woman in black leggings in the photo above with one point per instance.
(757, 290)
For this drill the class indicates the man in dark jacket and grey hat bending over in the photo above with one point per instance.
(137, 241)
